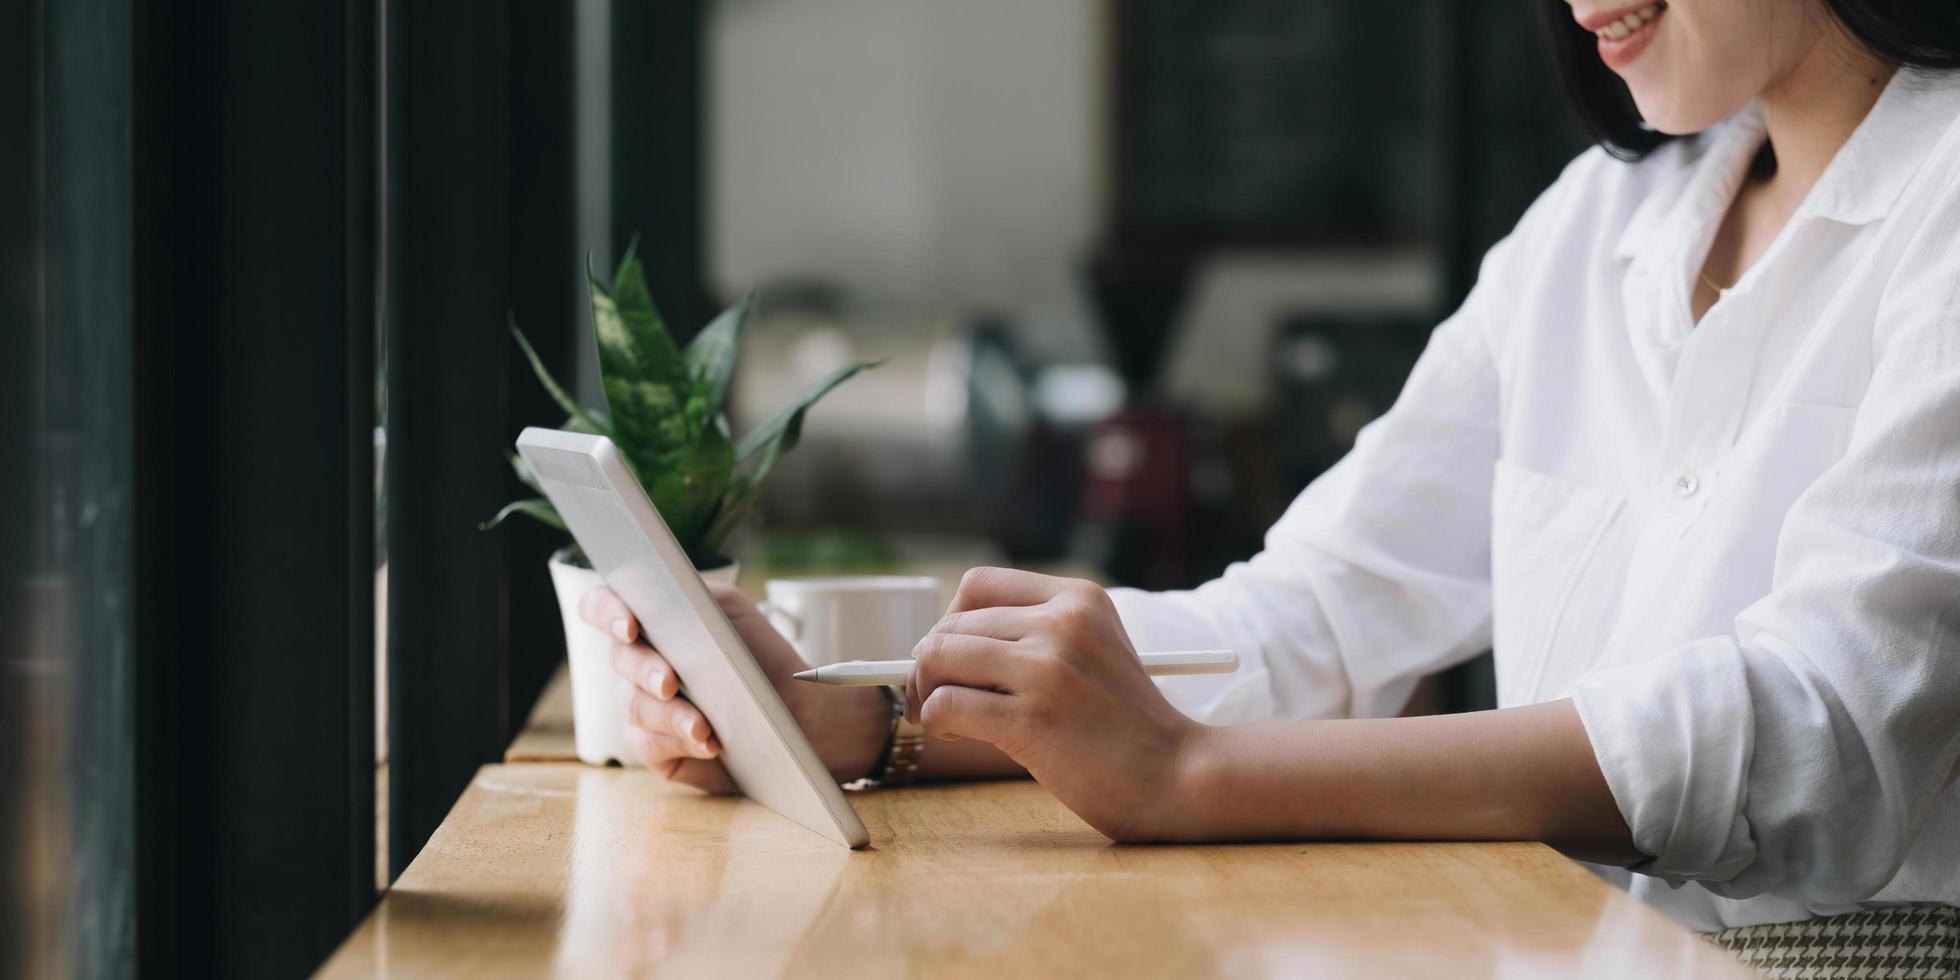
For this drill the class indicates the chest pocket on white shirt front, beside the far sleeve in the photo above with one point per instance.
(1545, 542)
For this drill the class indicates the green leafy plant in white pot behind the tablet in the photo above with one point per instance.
(667, 413)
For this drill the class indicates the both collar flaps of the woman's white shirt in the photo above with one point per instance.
(1859, 187)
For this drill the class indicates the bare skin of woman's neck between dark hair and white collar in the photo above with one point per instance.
(1814, 109)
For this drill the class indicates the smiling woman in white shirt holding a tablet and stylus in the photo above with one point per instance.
(1689, 460)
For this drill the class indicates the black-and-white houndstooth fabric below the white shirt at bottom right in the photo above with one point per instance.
(1904, 944)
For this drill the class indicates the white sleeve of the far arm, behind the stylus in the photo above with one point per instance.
(1377, 575)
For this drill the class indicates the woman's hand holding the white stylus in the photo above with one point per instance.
(1042, 669)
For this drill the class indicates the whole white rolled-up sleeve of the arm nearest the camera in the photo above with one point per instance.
(1802, 754)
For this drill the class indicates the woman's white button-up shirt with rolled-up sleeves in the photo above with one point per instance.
(1734, 544)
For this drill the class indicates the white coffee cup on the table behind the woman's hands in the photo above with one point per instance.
(854, 618)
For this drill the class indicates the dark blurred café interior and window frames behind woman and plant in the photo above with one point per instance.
(1138, 271)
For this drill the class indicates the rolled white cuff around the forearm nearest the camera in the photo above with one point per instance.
(1675, 738)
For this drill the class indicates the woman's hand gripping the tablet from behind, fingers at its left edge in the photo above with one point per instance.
(669, 736)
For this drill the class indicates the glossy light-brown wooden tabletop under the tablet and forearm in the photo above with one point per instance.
(560, 869)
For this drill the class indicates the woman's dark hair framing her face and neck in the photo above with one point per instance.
(1912, 34)
